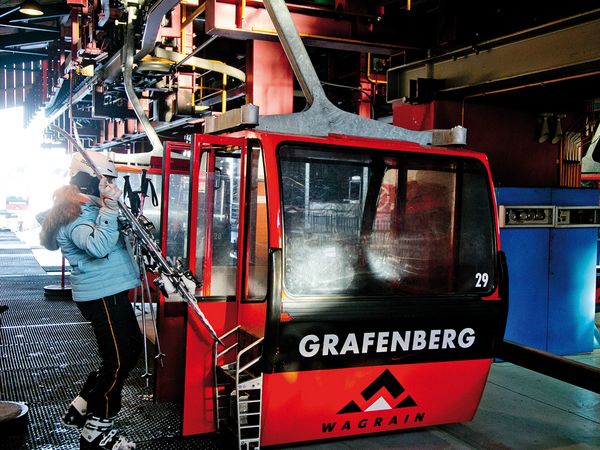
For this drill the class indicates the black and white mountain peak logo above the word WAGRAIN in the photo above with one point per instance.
(384, 393)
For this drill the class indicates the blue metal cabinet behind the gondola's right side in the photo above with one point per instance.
(552, 274)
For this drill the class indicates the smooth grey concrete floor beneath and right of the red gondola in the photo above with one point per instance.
(520, 409)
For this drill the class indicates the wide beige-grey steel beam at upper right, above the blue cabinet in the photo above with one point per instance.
(508, 61)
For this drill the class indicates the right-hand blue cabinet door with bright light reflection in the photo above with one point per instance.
(572, 289)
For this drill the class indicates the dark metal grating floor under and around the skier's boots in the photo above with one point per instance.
(46, 352)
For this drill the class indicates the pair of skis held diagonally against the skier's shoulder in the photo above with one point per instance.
(164, 267)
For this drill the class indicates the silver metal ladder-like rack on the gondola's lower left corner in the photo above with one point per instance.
(238, 390)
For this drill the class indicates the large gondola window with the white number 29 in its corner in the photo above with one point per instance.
(382, 224)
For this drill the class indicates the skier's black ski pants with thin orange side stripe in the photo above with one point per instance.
(119, 344)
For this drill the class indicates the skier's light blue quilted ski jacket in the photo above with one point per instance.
(101, 265)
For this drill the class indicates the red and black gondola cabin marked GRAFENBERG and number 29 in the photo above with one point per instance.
(357, 286)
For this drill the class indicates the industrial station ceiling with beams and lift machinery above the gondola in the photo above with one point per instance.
(527, 54)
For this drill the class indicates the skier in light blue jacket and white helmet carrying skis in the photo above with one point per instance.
(83, 223)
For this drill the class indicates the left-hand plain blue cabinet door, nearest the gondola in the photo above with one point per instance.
(527, 253)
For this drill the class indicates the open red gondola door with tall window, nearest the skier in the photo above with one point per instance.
(216, 243)
